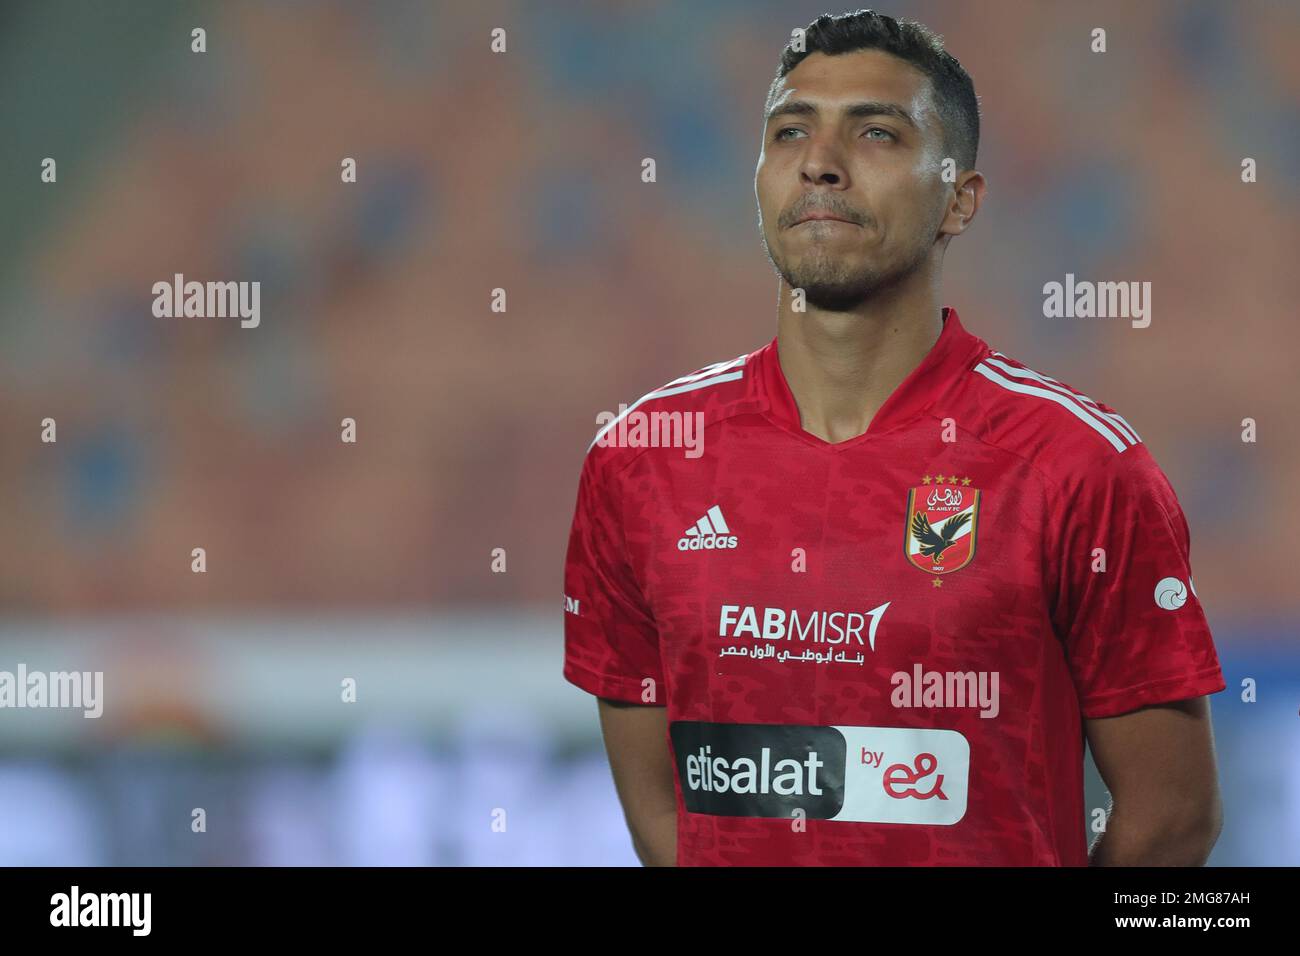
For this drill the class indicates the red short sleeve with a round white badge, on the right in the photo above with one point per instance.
(1133, 628)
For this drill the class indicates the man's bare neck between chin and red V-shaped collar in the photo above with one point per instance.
(843, 366)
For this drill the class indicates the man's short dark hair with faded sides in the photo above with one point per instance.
(918, 45)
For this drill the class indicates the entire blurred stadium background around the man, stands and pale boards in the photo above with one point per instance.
(522, 171)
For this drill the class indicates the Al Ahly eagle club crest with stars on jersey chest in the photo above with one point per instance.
(943, 516)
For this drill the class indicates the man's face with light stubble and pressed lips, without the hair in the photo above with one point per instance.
(870, 155)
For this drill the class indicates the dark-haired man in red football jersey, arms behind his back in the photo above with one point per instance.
(874, 617)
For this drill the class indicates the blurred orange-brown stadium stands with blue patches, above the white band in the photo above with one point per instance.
(522, 171)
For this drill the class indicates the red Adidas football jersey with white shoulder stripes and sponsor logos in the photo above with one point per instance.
(881, 652)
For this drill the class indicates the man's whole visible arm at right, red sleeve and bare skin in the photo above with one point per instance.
(1142, 657)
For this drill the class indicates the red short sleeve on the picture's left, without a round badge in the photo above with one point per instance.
(612, 644)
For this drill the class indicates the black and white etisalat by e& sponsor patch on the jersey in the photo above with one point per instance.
(860, 775)
